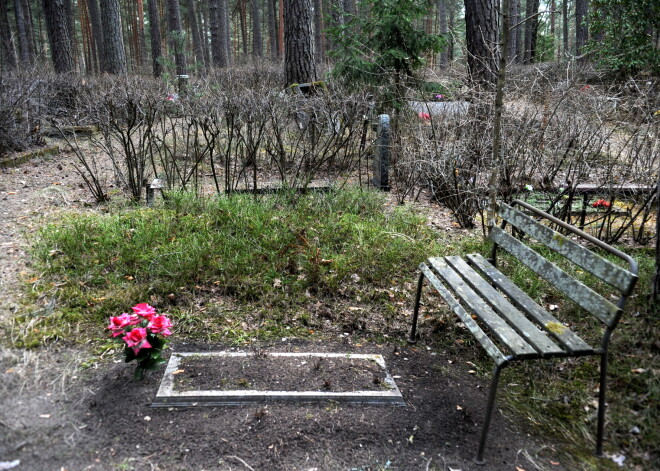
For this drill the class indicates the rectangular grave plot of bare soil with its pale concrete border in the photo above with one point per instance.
(233, 378)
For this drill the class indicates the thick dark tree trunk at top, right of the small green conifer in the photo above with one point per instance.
(481, 25)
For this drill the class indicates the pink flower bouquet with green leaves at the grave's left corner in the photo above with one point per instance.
(144, 334)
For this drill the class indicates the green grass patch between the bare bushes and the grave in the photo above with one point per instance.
(277, 250)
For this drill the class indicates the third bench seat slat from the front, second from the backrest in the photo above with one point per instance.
(516, 319)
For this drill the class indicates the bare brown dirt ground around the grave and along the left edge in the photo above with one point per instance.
(55, 415)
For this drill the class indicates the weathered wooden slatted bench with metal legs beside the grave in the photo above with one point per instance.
(507, 322)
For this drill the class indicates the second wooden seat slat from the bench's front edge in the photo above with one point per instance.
(503, 331)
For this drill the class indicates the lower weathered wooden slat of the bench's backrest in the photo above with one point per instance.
(584, 296)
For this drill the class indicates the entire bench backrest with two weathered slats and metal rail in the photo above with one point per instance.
(623, 280)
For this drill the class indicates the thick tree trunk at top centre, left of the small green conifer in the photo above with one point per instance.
(299, 64)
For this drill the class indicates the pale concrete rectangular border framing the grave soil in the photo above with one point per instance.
(168, 397)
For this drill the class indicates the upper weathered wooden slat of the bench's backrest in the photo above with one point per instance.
(607, 271)
